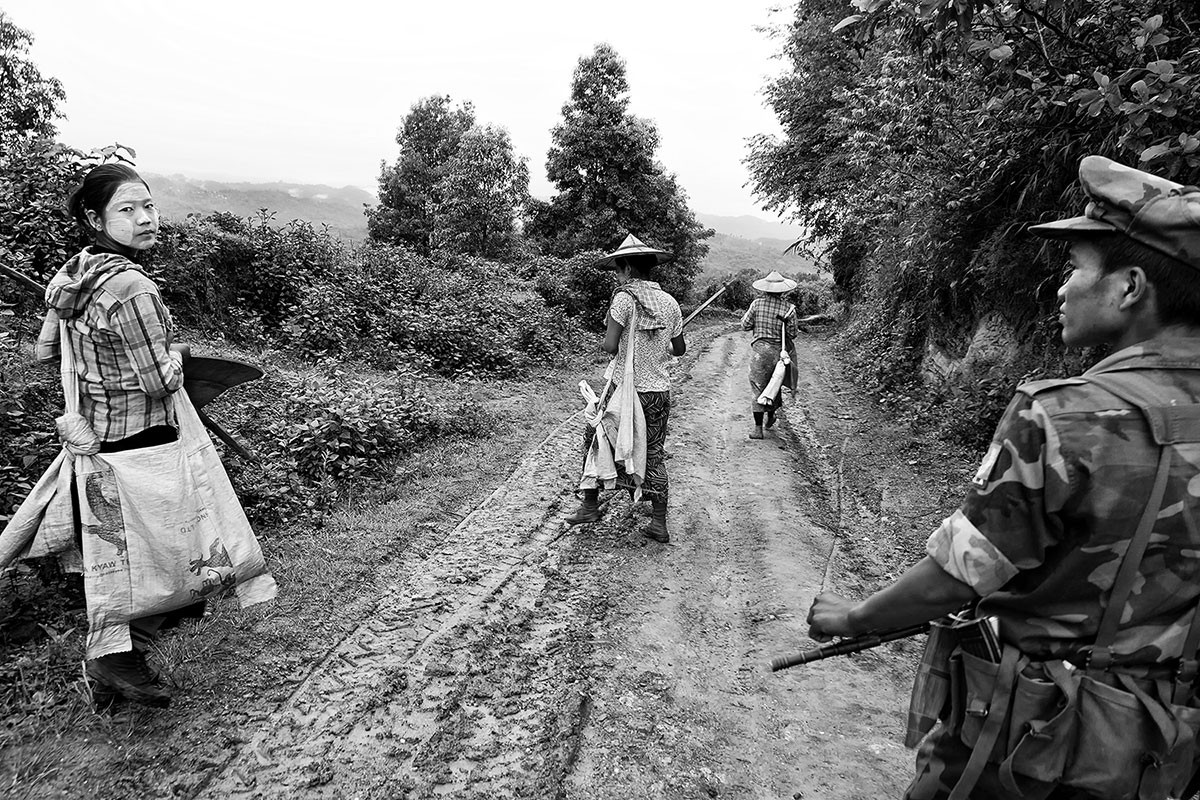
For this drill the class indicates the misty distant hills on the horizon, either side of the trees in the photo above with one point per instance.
(741, 243)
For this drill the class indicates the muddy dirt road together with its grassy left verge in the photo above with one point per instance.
(454, 639)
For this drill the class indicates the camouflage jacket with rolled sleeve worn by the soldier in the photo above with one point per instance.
(1057, 501)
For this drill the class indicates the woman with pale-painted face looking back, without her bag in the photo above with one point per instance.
(125, 362)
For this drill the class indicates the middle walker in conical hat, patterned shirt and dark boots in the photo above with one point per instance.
(641, 353)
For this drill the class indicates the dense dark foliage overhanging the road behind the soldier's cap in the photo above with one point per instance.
(921, 140)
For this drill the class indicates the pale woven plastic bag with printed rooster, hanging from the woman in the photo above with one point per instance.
(163, 530)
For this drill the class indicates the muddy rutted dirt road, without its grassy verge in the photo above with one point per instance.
(519, 658)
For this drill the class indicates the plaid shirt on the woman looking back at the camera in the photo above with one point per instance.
(121, 341)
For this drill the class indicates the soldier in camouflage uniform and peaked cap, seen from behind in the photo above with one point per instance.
(1079, 536)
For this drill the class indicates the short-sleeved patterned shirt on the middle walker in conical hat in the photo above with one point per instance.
(659, 321)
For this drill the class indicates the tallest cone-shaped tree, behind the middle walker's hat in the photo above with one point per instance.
(603, 164)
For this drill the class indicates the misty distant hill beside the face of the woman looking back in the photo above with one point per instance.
(341, 209)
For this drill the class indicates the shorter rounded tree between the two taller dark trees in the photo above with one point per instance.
(483, 194)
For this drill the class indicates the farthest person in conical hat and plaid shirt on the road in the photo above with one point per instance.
(772, 318)
